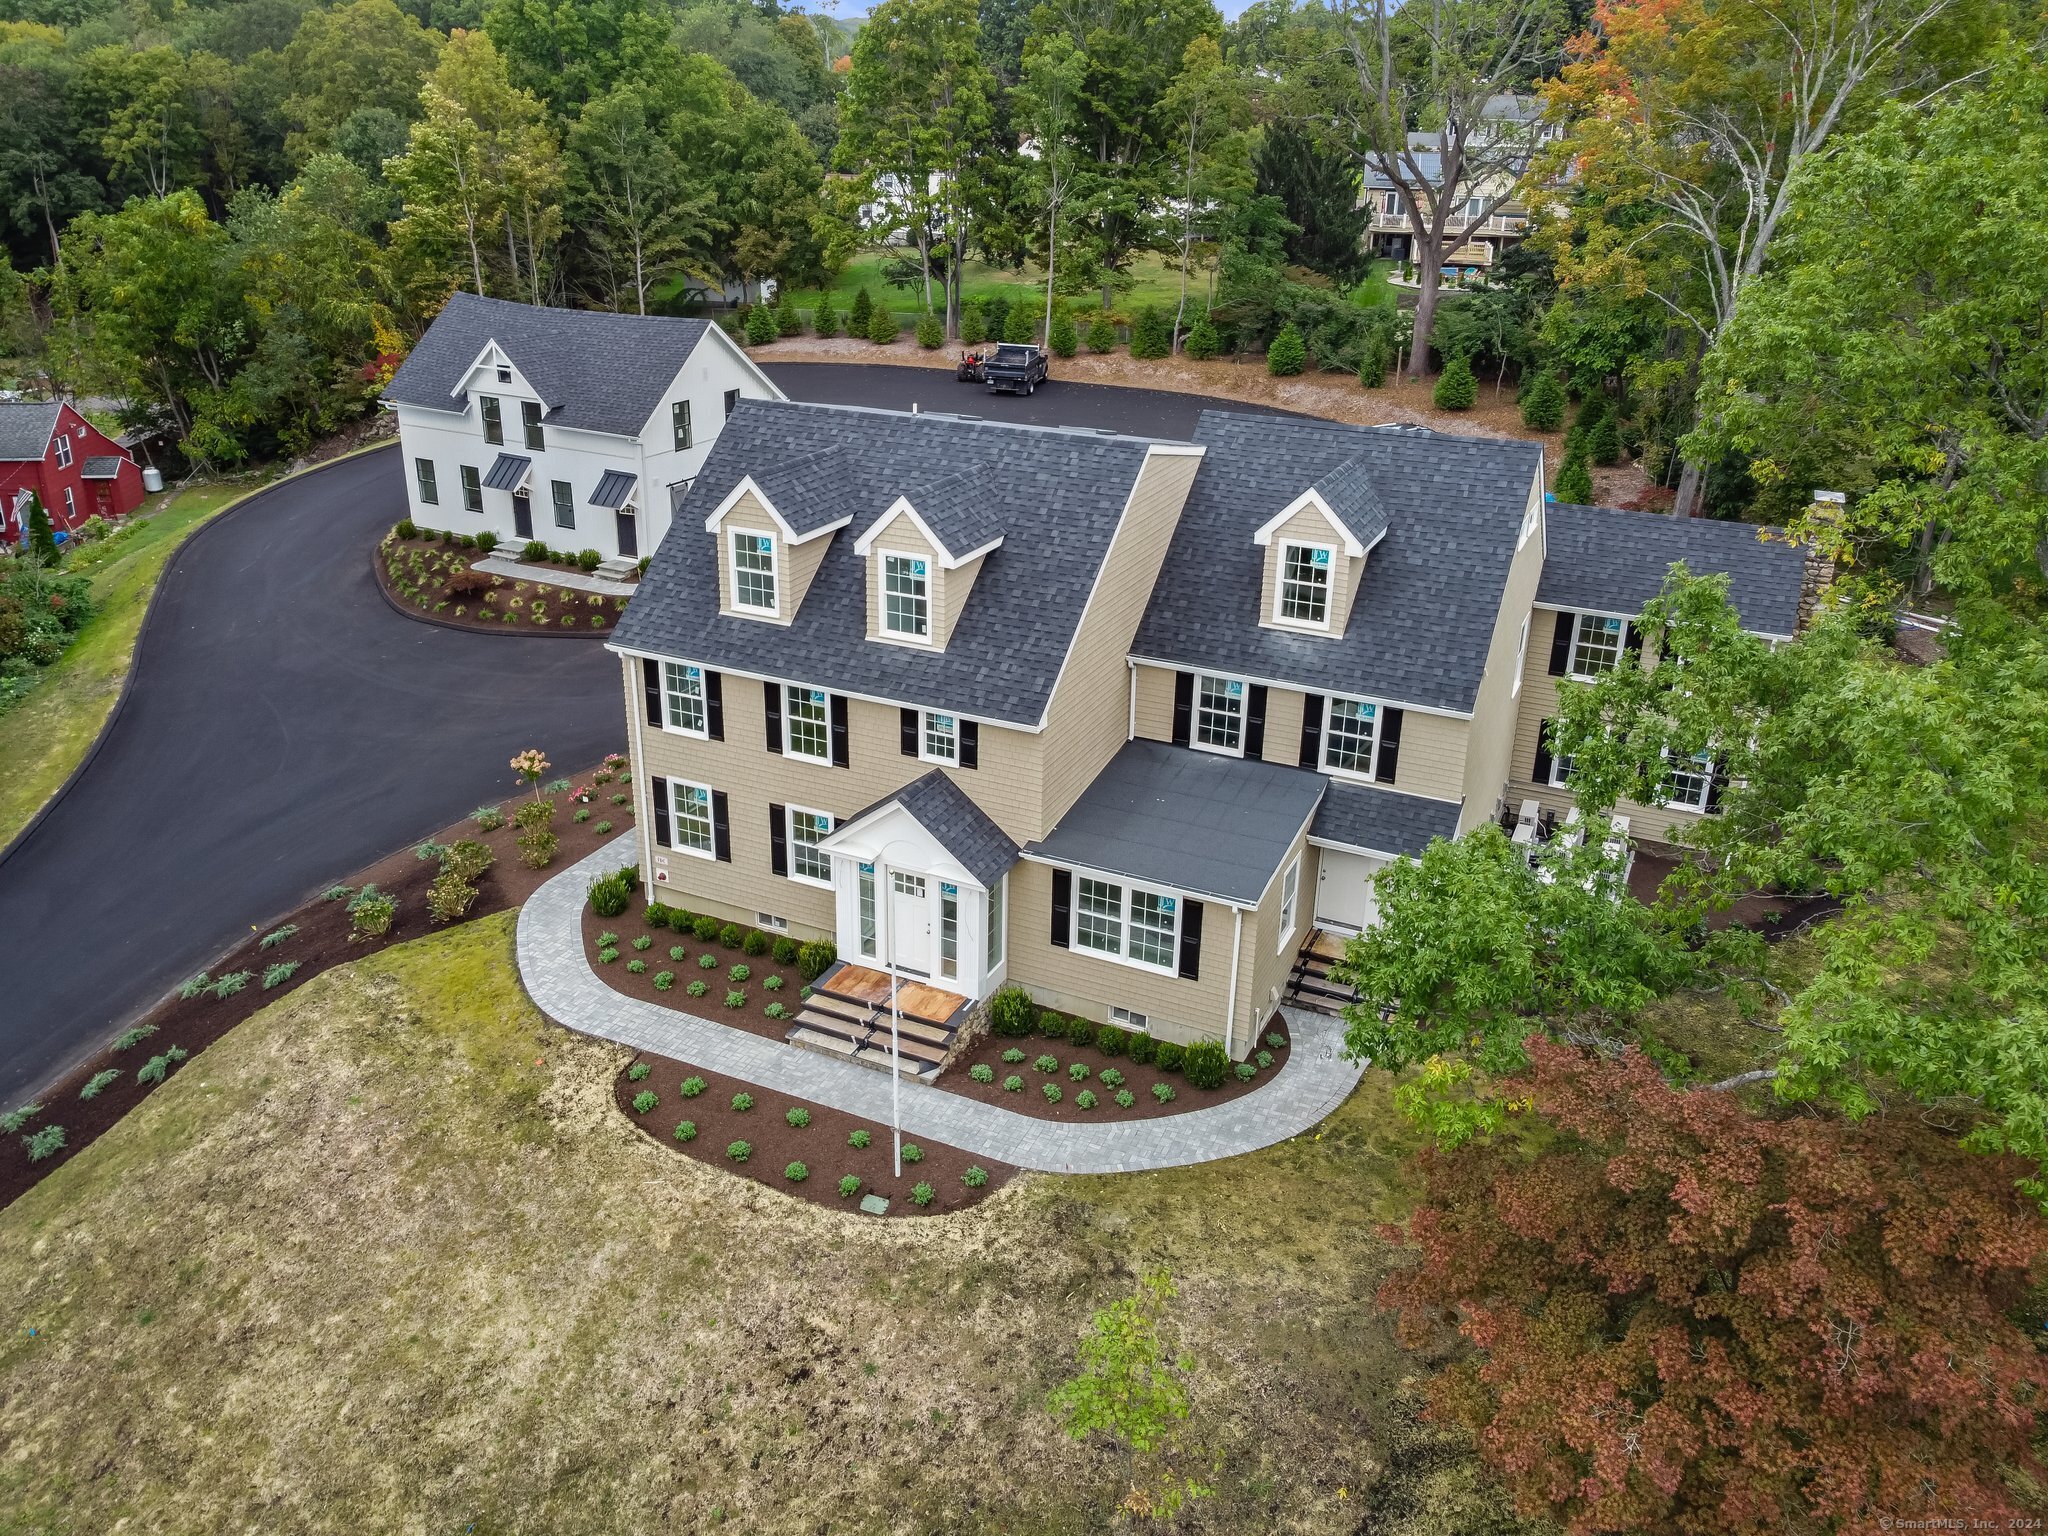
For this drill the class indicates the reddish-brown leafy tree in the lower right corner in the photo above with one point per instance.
(1697, 1320)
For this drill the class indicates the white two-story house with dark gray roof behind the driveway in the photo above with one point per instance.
(574, 427)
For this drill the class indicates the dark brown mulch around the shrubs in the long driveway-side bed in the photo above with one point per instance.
(323, 941)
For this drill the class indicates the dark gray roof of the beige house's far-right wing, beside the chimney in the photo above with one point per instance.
(1613, 560)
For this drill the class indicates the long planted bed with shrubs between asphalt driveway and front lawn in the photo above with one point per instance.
(490, 861)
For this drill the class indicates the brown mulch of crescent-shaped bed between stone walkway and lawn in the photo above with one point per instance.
(820, 1146)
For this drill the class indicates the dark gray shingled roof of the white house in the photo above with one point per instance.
(595, 372)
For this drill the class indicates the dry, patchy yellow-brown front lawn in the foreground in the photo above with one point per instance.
(388, 1261)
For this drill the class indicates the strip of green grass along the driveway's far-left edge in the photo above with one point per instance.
(52, 730)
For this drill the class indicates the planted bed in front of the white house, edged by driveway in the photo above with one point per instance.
(433, 574)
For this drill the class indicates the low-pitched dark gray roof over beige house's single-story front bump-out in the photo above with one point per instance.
(1189, 820)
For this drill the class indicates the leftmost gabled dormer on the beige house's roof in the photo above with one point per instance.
(767, 554)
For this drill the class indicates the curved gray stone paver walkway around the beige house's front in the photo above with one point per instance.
(560, 980)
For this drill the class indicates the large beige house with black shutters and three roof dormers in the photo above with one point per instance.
(1111, 718)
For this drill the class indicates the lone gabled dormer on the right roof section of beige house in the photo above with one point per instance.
(1316, 552)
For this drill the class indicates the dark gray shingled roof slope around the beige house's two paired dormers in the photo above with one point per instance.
(1060, 499)
